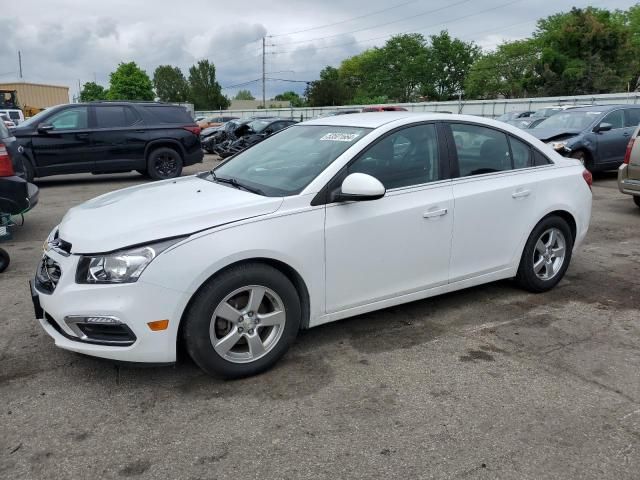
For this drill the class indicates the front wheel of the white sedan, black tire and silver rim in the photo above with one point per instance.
(230, 294)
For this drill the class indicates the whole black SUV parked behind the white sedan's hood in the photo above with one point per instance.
(156, 139)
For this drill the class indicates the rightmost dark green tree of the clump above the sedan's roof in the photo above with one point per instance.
(449, 61)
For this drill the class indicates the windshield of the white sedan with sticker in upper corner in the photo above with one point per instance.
(285, 163)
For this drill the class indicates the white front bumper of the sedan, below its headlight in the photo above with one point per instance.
(132, 304)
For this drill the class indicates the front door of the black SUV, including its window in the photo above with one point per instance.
(66, 148)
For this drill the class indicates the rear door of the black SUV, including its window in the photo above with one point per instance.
(119, 138)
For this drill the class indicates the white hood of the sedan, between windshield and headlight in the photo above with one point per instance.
(158, 210)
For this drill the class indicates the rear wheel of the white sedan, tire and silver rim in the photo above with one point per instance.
(531, 273)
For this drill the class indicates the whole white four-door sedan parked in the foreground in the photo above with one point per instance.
(327, 219)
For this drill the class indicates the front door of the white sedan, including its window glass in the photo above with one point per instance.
(400, 243)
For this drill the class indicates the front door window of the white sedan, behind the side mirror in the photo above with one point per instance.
(404, 158)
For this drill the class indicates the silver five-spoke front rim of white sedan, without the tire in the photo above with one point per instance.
(247, 324)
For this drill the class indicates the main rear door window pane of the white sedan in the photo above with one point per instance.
(480, 149)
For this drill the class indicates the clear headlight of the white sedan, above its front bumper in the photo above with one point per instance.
(124, 266)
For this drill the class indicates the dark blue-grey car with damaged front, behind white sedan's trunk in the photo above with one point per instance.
(595, 135)
